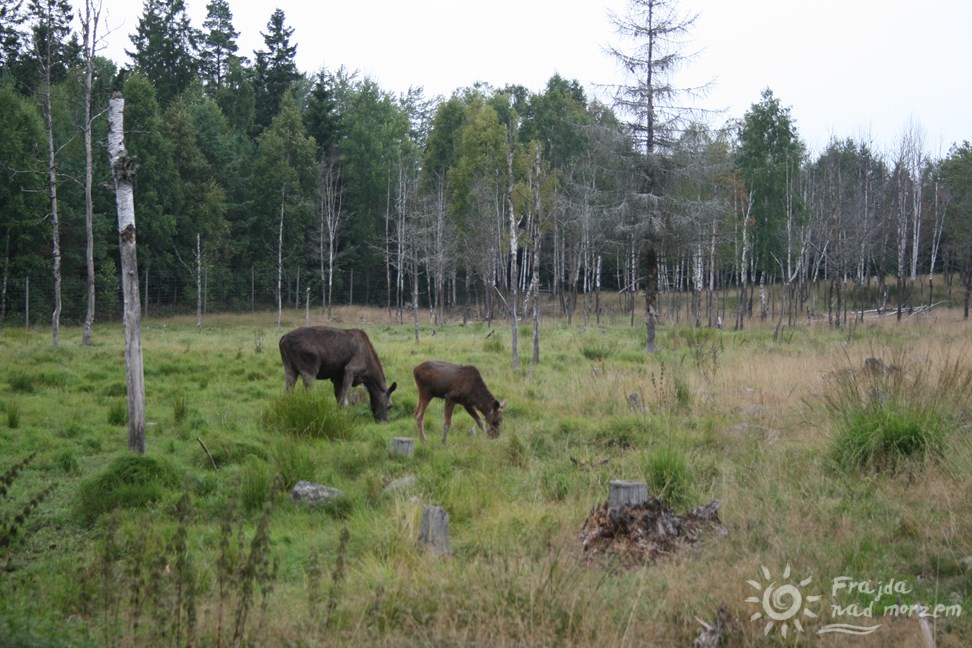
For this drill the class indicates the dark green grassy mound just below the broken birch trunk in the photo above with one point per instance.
(130, 481)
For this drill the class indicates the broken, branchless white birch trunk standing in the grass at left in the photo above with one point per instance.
(123, 170)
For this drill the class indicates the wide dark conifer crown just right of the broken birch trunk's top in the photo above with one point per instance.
(164, 48)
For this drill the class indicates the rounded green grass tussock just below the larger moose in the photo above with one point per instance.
(305, 413)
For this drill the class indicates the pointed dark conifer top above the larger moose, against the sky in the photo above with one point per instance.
(276, 70)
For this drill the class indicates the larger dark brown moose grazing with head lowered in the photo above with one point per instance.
(343, 356)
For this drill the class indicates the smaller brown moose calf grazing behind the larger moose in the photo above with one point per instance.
(458, 385)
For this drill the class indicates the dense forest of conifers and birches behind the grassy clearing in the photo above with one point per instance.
(321, 187)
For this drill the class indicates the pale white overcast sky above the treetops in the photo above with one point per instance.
(864, 69)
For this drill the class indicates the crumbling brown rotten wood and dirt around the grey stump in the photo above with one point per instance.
(645, 532)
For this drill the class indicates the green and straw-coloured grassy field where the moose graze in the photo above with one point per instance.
(824, 471)
